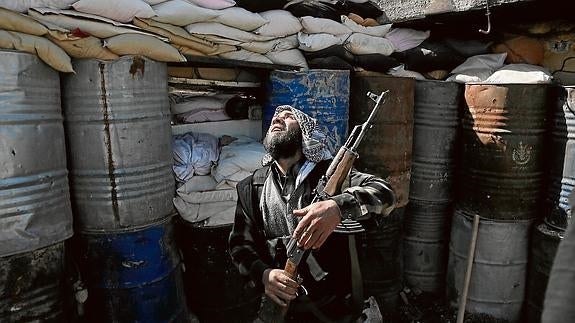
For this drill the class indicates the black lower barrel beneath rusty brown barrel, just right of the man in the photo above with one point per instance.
(379, 254)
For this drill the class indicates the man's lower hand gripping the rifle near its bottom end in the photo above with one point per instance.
(278, 286)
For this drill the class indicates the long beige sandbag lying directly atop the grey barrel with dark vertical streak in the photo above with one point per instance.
(151, 47)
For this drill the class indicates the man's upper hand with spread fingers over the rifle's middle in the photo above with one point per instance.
(317, 223)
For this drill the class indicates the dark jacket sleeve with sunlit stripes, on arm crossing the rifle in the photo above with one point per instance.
(366, 194)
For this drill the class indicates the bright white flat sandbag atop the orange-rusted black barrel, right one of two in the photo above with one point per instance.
(520, 74)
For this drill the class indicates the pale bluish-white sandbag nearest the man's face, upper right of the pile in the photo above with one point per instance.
(237, 160)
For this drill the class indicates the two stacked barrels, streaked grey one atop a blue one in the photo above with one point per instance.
(119, 152)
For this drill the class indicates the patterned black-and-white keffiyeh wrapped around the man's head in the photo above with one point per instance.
(314, 145)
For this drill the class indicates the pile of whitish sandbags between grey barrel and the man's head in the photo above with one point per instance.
(208, 169)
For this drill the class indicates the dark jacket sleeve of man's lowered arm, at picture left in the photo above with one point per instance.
(246, 242)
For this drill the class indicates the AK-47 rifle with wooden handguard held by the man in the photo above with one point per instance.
(328, 185)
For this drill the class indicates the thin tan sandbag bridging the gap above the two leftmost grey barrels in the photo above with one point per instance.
(88, 47)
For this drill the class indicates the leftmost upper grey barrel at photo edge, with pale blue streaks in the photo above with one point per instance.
(35, 206)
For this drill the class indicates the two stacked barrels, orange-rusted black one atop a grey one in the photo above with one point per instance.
(500, 179)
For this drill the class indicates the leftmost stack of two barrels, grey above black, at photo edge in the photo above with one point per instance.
(35, 210)
